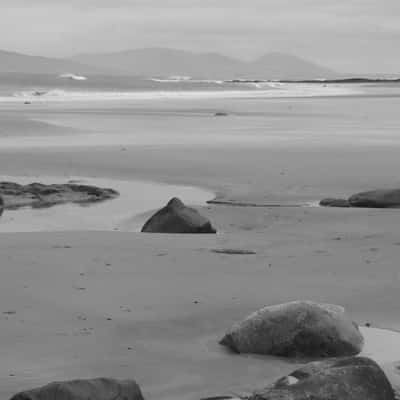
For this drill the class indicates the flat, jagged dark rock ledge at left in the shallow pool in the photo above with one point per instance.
(39, 195)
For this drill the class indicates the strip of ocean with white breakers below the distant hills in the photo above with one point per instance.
(15, 87)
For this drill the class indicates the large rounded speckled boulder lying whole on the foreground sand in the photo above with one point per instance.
(296, 329)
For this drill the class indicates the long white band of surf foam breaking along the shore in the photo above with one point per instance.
(269, 90)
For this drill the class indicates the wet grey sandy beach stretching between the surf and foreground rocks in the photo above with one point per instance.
(153, 307)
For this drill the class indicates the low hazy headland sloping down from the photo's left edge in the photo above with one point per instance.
(16, 62)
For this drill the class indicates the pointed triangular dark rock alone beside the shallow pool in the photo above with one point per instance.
(175, 217)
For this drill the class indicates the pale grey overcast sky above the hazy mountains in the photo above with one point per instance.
(347, 35)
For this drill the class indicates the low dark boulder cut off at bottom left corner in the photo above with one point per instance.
(92, 389)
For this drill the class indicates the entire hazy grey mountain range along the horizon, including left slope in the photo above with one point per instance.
(162, 62)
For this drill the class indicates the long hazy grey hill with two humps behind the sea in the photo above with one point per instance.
(166, 62)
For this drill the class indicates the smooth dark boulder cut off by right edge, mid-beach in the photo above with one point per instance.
(384, 198)
